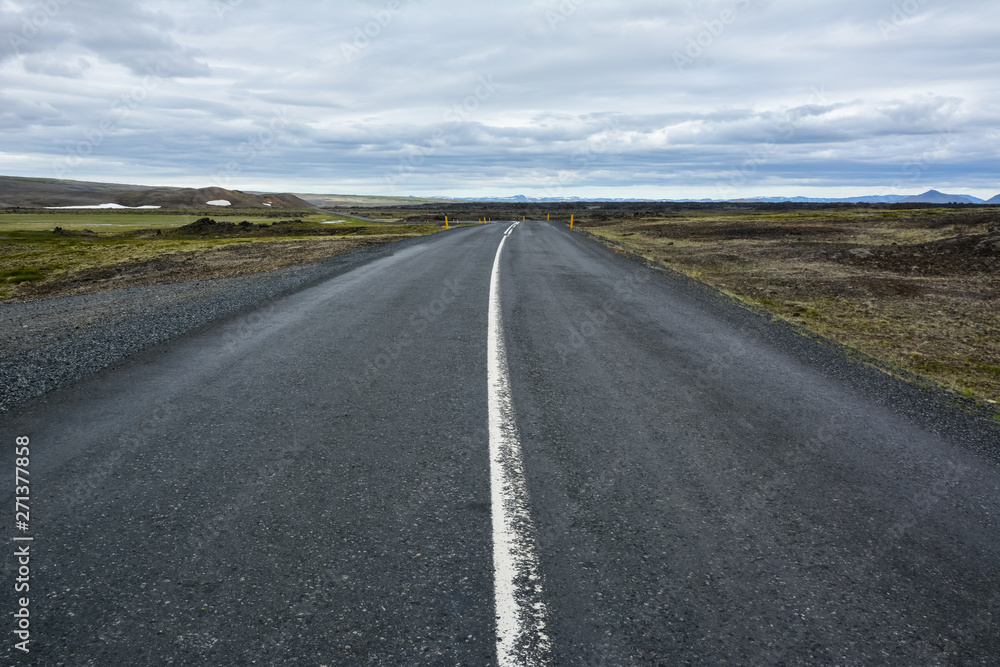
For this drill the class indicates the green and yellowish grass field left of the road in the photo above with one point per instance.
(99, 250)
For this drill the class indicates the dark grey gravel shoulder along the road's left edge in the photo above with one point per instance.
(49, 343)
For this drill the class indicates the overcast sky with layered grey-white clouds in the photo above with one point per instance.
(658, 99)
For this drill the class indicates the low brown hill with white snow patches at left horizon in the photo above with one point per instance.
(43, 192)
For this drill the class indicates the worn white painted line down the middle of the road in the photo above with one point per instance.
(517, 590)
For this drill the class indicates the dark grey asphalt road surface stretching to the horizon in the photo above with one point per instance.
(309, 484)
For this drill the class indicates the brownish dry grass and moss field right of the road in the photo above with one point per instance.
(916, 289)
